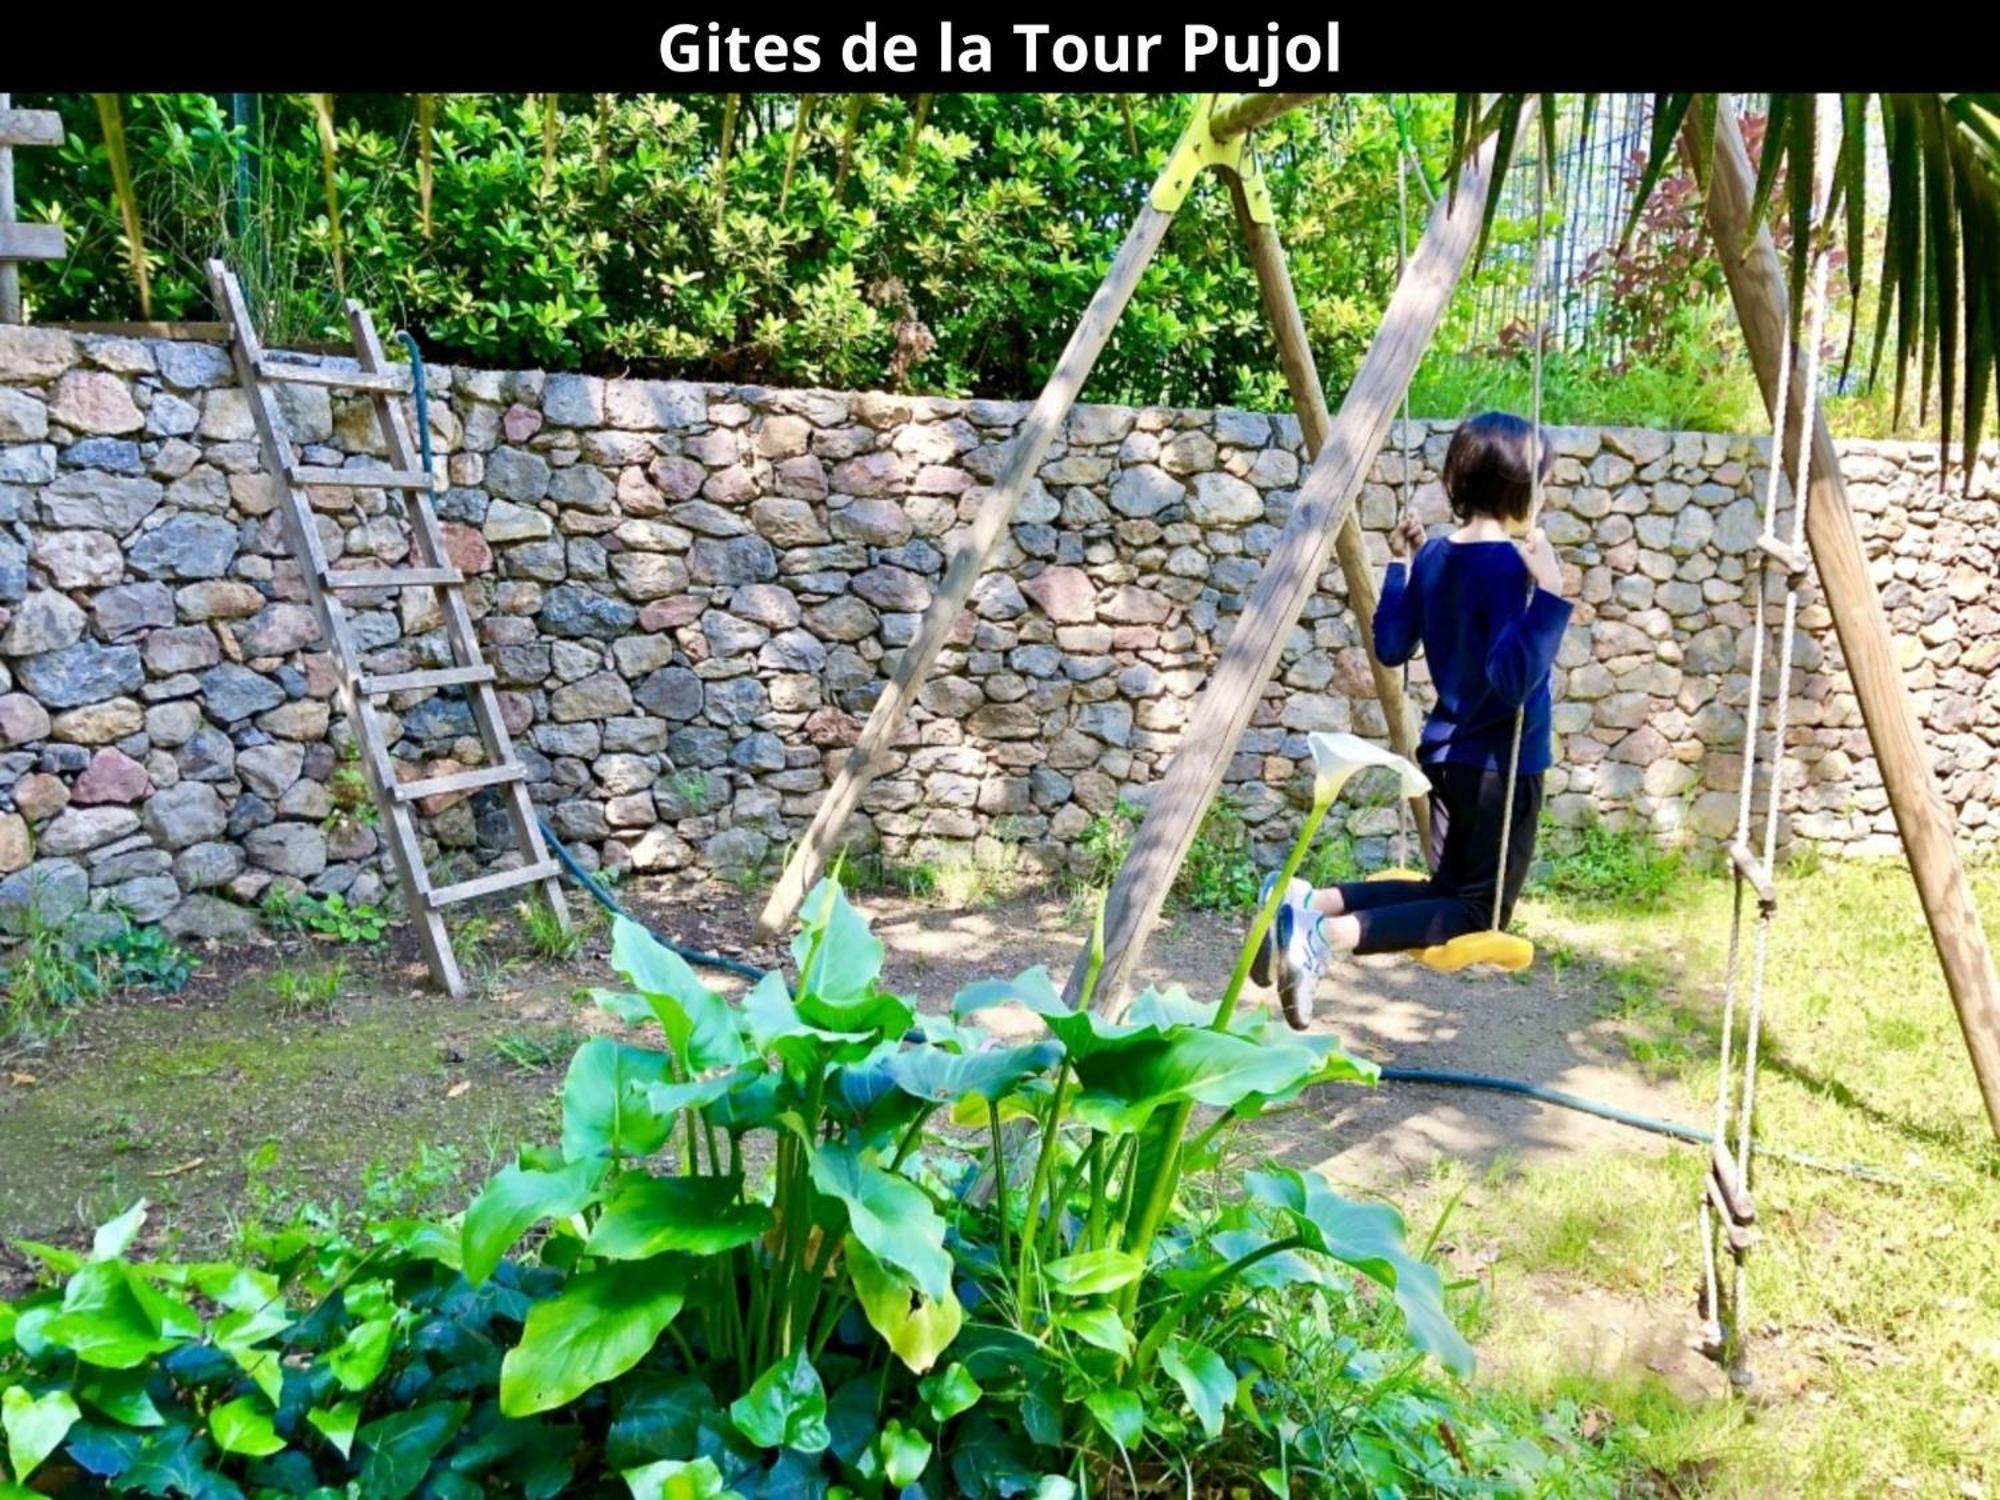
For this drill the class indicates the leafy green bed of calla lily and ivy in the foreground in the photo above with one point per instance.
(801, 1241)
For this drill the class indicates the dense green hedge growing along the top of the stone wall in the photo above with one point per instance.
(961, 275)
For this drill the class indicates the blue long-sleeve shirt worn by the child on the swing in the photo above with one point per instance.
(1491, 647)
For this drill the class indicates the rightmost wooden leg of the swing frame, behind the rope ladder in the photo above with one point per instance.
(1923, 819)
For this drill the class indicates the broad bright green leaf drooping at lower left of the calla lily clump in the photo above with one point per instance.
(599, 1327)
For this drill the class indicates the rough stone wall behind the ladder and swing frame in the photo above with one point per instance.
(693, 595)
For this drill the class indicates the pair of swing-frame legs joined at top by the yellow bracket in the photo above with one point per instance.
(1215, 139)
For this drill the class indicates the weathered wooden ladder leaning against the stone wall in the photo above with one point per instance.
(259, 371)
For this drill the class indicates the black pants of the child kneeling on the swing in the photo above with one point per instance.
(1465, 861)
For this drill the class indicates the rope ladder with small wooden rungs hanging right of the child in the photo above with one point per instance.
(1727, 1211)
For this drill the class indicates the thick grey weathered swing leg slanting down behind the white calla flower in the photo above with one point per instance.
(1291, 575)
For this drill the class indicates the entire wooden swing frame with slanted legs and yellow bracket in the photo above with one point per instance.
(1343, 447)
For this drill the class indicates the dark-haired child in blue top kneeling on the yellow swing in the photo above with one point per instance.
(1491, 641)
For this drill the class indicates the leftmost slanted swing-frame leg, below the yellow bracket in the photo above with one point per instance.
(969, 561)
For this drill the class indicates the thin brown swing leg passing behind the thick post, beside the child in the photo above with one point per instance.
(1309, 399)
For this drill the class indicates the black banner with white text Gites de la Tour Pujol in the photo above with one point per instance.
(985, 49)
